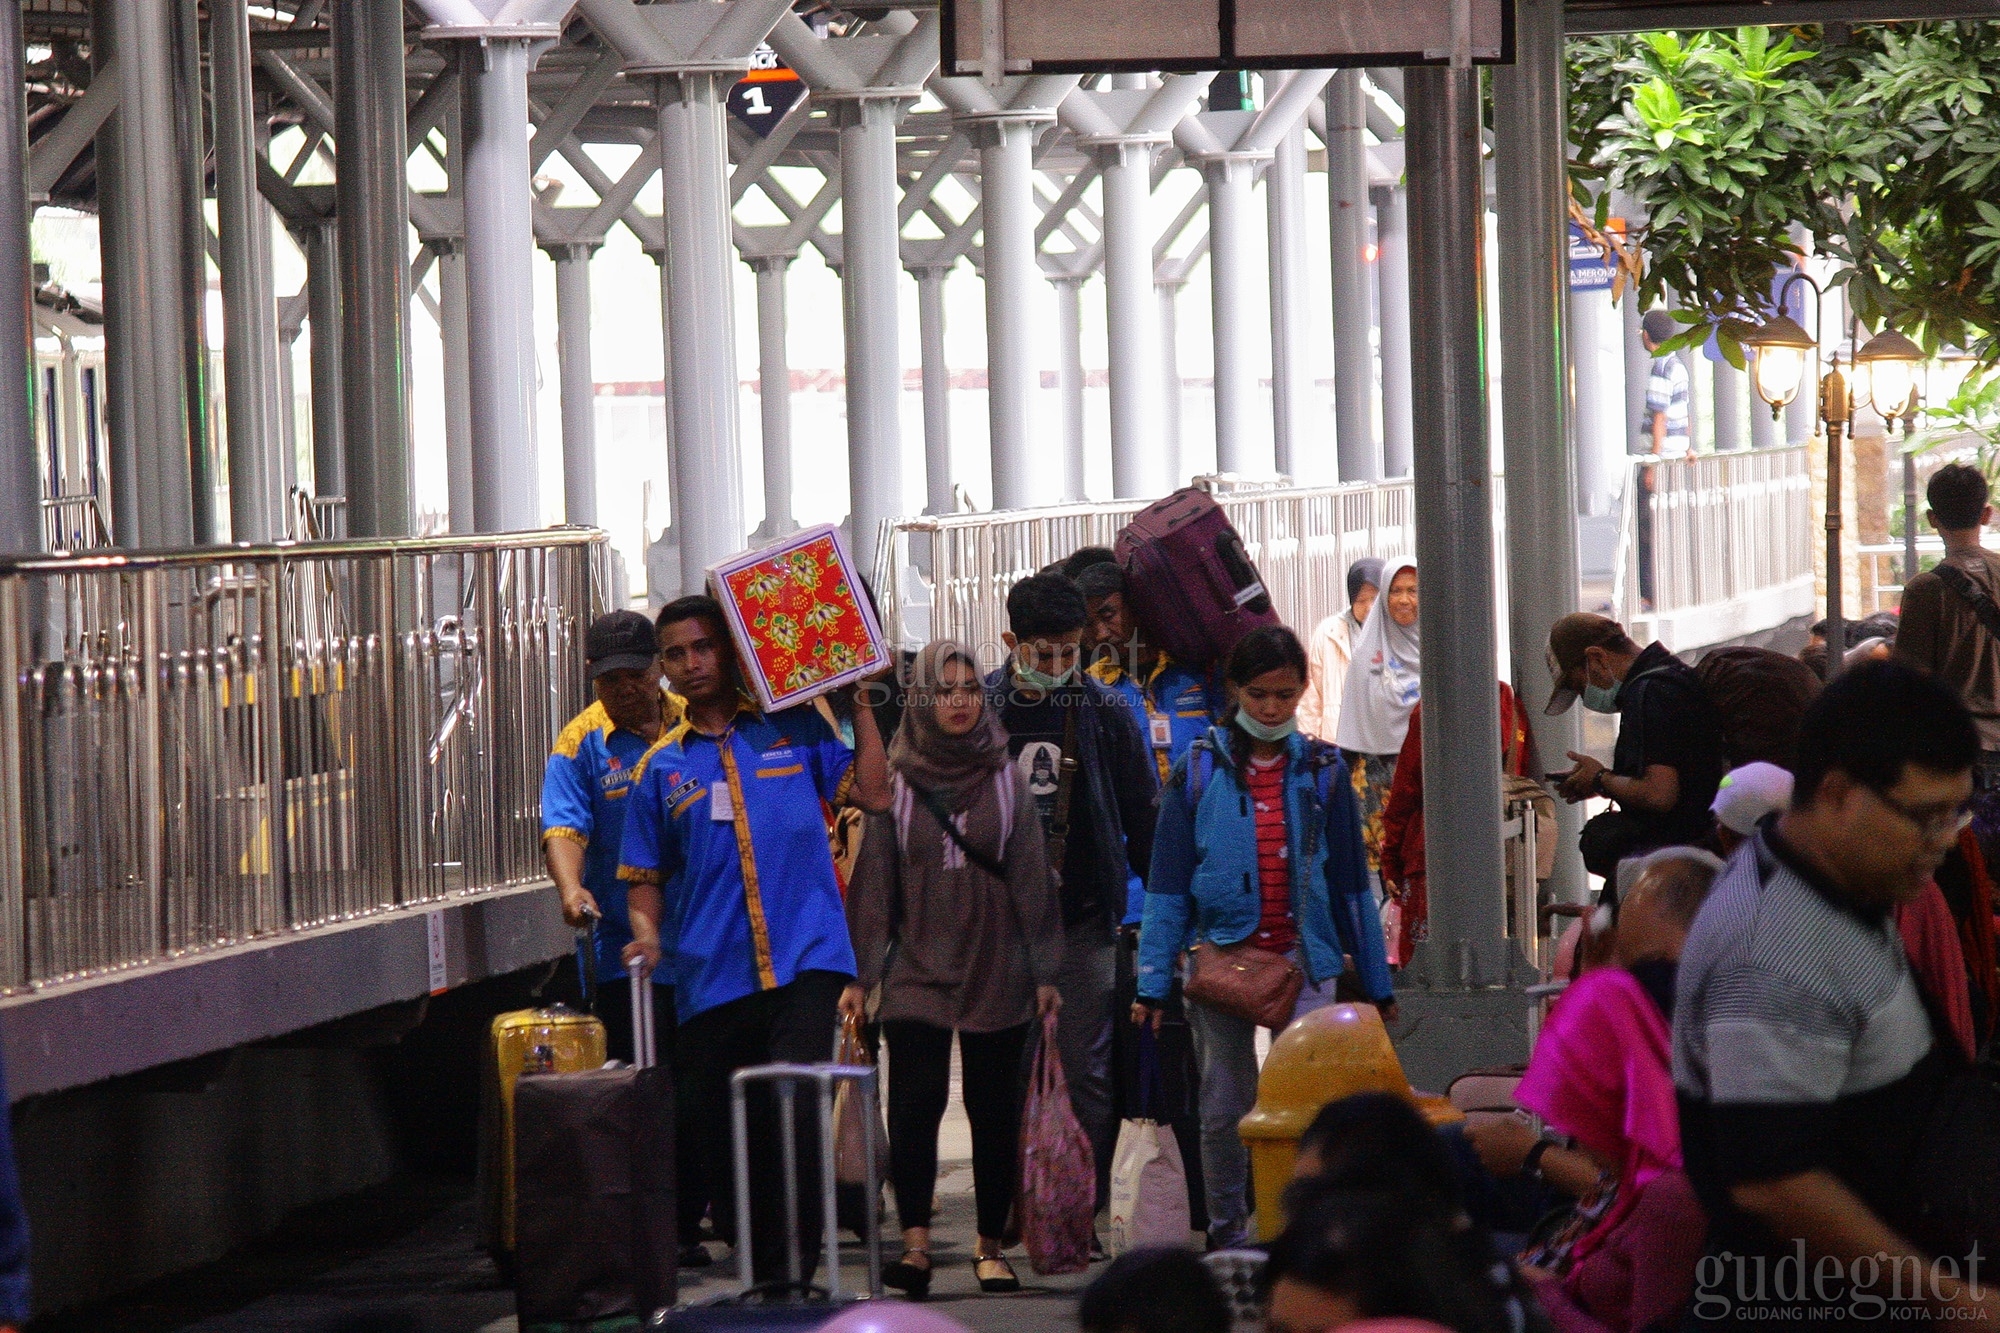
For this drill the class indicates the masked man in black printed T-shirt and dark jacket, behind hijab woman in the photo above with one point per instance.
(1085, 758)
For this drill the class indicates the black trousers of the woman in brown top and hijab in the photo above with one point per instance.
(919, 1086)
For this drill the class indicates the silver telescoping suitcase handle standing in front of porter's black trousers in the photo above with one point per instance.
(785, 1082)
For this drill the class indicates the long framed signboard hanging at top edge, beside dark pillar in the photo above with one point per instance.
(1089, 37)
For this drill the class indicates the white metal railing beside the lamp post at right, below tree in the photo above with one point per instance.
(1725, 529)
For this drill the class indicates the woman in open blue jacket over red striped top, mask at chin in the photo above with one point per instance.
(1259, 844)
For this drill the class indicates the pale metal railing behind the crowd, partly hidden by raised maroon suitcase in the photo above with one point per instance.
(949, 575)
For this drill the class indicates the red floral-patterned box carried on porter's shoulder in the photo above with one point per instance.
(801, 621)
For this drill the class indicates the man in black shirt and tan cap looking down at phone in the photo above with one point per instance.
(1669, 758)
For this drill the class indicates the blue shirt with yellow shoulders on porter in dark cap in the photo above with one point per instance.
(585, 798)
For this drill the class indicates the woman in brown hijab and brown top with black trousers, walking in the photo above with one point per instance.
(955, 916)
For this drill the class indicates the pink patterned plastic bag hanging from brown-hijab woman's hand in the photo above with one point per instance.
(1059, 1174)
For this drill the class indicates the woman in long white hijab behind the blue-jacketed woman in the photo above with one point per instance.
(1377, 700)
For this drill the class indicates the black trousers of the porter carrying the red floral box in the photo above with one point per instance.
(793, 1024)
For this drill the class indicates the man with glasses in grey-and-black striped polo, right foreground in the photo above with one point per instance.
(1809, 1074)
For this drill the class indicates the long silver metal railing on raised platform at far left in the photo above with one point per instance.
(209, 748)
